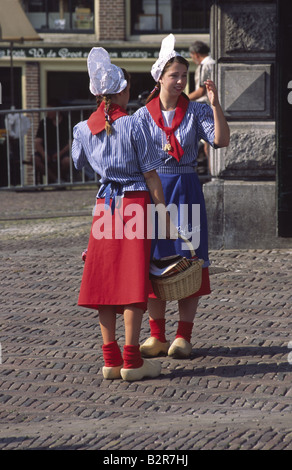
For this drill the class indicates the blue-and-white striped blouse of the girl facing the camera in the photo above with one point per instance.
(197, 124)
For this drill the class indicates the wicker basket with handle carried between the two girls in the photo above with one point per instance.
(182, 284)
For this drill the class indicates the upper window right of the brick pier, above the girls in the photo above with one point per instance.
(165, 16)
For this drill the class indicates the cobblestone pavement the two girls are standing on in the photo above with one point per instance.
(234, 392)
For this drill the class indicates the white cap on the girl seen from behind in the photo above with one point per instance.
(105, 77)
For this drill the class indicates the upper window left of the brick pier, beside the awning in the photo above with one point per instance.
(60, 15)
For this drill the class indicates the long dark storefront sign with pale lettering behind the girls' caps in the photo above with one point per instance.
(81, 53)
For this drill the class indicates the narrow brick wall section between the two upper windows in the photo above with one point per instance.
(112, 20)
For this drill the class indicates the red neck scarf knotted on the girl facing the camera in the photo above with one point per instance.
(173, 146)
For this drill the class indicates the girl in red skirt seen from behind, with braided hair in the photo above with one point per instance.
(116, 271)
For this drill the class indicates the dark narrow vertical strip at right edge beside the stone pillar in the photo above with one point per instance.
(284, 120)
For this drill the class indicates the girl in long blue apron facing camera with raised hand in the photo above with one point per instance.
(177, 126)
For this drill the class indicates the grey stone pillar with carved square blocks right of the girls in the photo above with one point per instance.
(243, 197)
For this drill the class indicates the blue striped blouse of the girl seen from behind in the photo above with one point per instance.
(121, 158)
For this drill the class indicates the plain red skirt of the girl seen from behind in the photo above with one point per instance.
(116, 270)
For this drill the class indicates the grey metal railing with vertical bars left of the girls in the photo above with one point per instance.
(22, 165)
